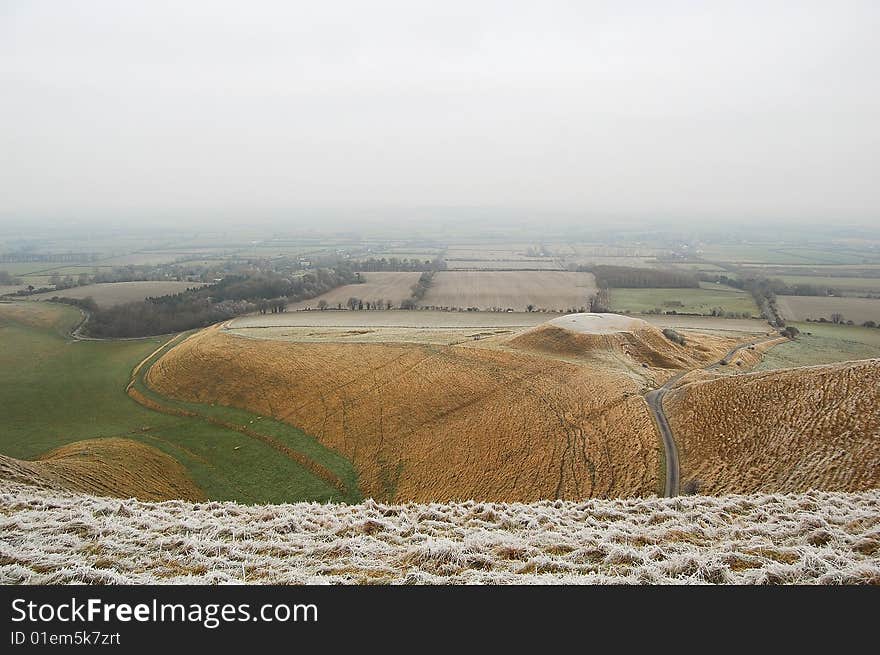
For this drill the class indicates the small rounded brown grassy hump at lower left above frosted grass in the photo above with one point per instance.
(110, 467)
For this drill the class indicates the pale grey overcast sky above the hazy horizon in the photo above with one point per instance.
(753, 109)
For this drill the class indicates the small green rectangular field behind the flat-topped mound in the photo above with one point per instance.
(683, 301)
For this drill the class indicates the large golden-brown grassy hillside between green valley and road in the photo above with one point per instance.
(426, 422)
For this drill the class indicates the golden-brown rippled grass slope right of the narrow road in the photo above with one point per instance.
(782, 431)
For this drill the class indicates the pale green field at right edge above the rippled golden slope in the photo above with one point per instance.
(823, 344)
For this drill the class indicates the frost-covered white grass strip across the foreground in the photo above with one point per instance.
(49, 536)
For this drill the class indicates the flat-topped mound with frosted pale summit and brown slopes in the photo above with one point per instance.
(598, 335)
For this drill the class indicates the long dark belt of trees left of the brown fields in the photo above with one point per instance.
(194, 308)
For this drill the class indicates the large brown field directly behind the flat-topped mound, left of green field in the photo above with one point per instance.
(550, 290)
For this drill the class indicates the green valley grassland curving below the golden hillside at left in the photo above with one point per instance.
(54, 391)
